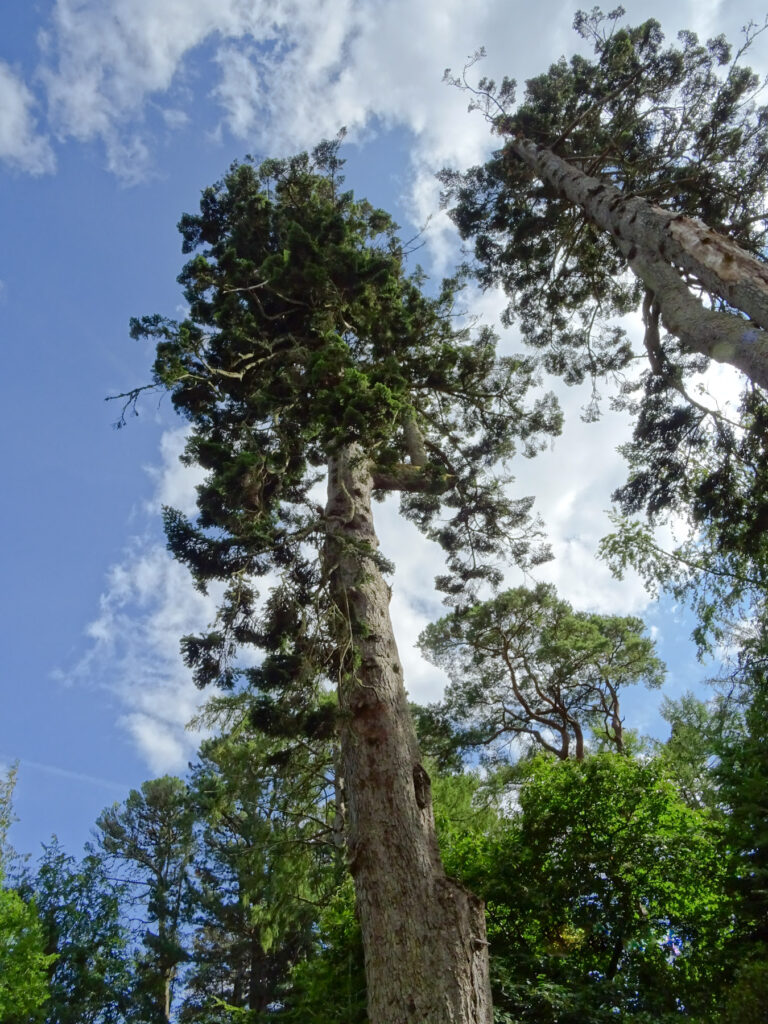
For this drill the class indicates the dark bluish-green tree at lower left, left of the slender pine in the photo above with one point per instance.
(92, 977)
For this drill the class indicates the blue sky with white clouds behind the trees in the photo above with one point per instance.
(114, 115)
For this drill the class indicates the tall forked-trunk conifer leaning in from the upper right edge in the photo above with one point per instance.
(636, 182)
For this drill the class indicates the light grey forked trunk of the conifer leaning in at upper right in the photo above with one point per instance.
(655, 242)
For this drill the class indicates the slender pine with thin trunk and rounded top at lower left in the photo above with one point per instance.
(150, 839)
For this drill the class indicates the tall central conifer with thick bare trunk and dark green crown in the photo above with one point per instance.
(309, 353)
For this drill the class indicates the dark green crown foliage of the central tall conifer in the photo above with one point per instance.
(305, 334)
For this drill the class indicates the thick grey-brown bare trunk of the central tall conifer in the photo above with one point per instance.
(423, 934)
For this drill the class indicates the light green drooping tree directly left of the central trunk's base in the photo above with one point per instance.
(265, 861)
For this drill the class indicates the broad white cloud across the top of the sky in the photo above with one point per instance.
(290, 72)
